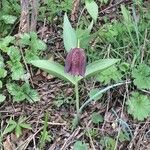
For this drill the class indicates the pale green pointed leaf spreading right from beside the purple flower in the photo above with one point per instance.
(96, 67)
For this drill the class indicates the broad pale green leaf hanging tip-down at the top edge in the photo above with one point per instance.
(92, 9)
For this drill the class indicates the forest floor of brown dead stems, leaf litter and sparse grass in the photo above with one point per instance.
(112, 128)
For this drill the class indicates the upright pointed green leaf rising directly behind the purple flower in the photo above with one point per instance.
(69, 35)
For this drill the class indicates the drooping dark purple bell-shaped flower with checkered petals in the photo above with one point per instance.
(75, 63)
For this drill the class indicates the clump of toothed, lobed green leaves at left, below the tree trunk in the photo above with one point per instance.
(14, 72)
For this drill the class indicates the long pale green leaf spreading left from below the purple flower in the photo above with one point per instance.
(54, 69)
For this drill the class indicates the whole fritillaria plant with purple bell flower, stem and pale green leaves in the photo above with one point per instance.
(75, 68)
